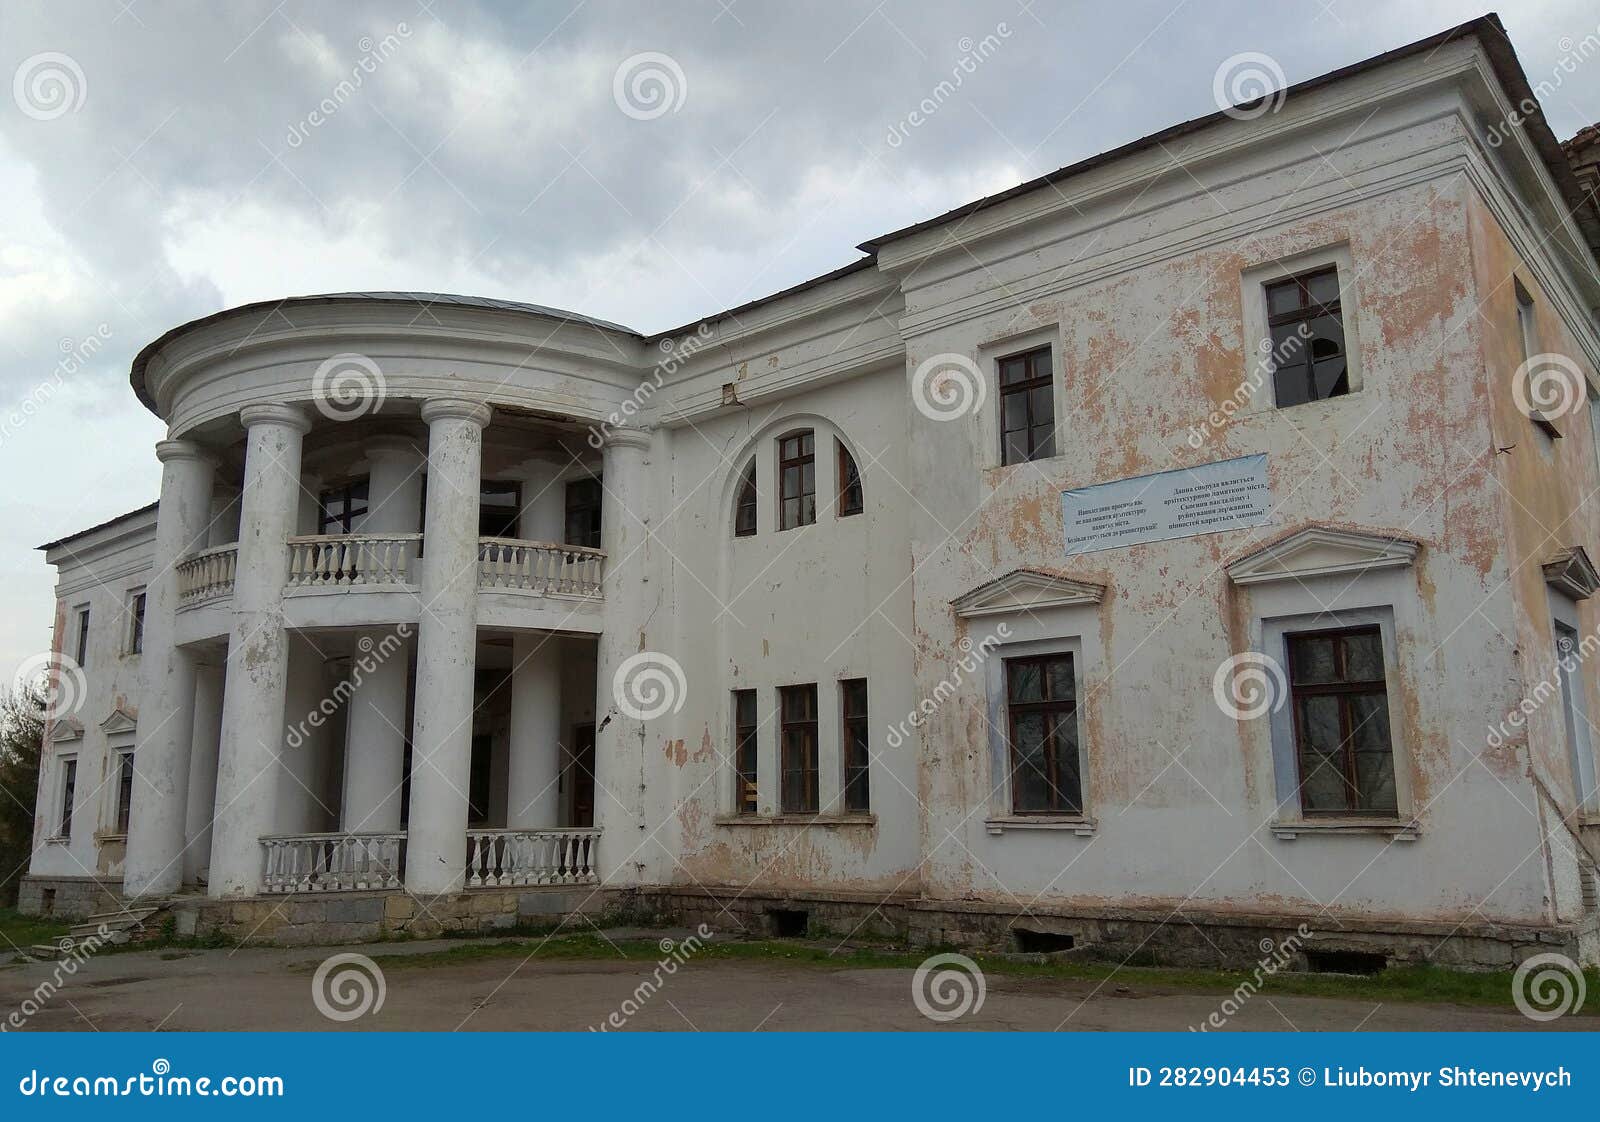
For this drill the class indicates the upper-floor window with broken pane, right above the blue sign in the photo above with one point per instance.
(1306, 323)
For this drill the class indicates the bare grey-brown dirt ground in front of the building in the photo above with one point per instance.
(271, 990)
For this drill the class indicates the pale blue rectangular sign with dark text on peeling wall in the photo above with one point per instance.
(1180, 503)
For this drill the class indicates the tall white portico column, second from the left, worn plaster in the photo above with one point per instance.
(258, 649)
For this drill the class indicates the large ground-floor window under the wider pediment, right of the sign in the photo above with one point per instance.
(1342, 723)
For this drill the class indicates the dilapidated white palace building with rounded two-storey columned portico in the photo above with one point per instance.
(1185, 550)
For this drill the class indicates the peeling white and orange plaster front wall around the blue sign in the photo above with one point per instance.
(1182, 793)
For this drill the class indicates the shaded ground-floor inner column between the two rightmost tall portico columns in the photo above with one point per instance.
(532, 780)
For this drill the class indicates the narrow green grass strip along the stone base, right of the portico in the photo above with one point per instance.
(1436, 985)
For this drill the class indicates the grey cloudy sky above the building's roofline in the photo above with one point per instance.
(162, 161)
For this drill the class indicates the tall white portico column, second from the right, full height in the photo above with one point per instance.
(446, 652)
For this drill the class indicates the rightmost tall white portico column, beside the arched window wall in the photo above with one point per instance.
(620, 740)
